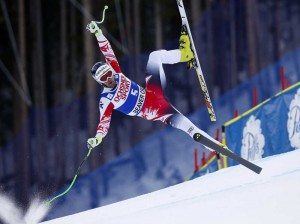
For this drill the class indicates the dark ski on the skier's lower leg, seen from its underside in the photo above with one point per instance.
(226, 152)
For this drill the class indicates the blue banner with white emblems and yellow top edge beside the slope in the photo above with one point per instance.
(273, 127)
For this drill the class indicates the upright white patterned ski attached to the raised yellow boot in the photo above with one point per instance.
(196, 64)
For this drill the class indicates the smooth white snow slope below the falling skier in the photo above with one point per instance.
(232, 195)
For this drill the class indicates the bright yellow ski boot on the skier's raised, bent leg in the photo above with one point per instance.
(187, 54)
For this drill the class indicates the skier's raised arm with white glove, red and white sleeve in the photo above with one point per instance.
(104, 46)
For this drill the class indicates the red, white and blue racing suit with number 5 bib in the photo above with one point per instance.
(134, 100)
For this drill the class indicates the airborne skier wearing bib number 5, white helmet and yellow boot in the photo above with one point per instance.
(122, 94)
